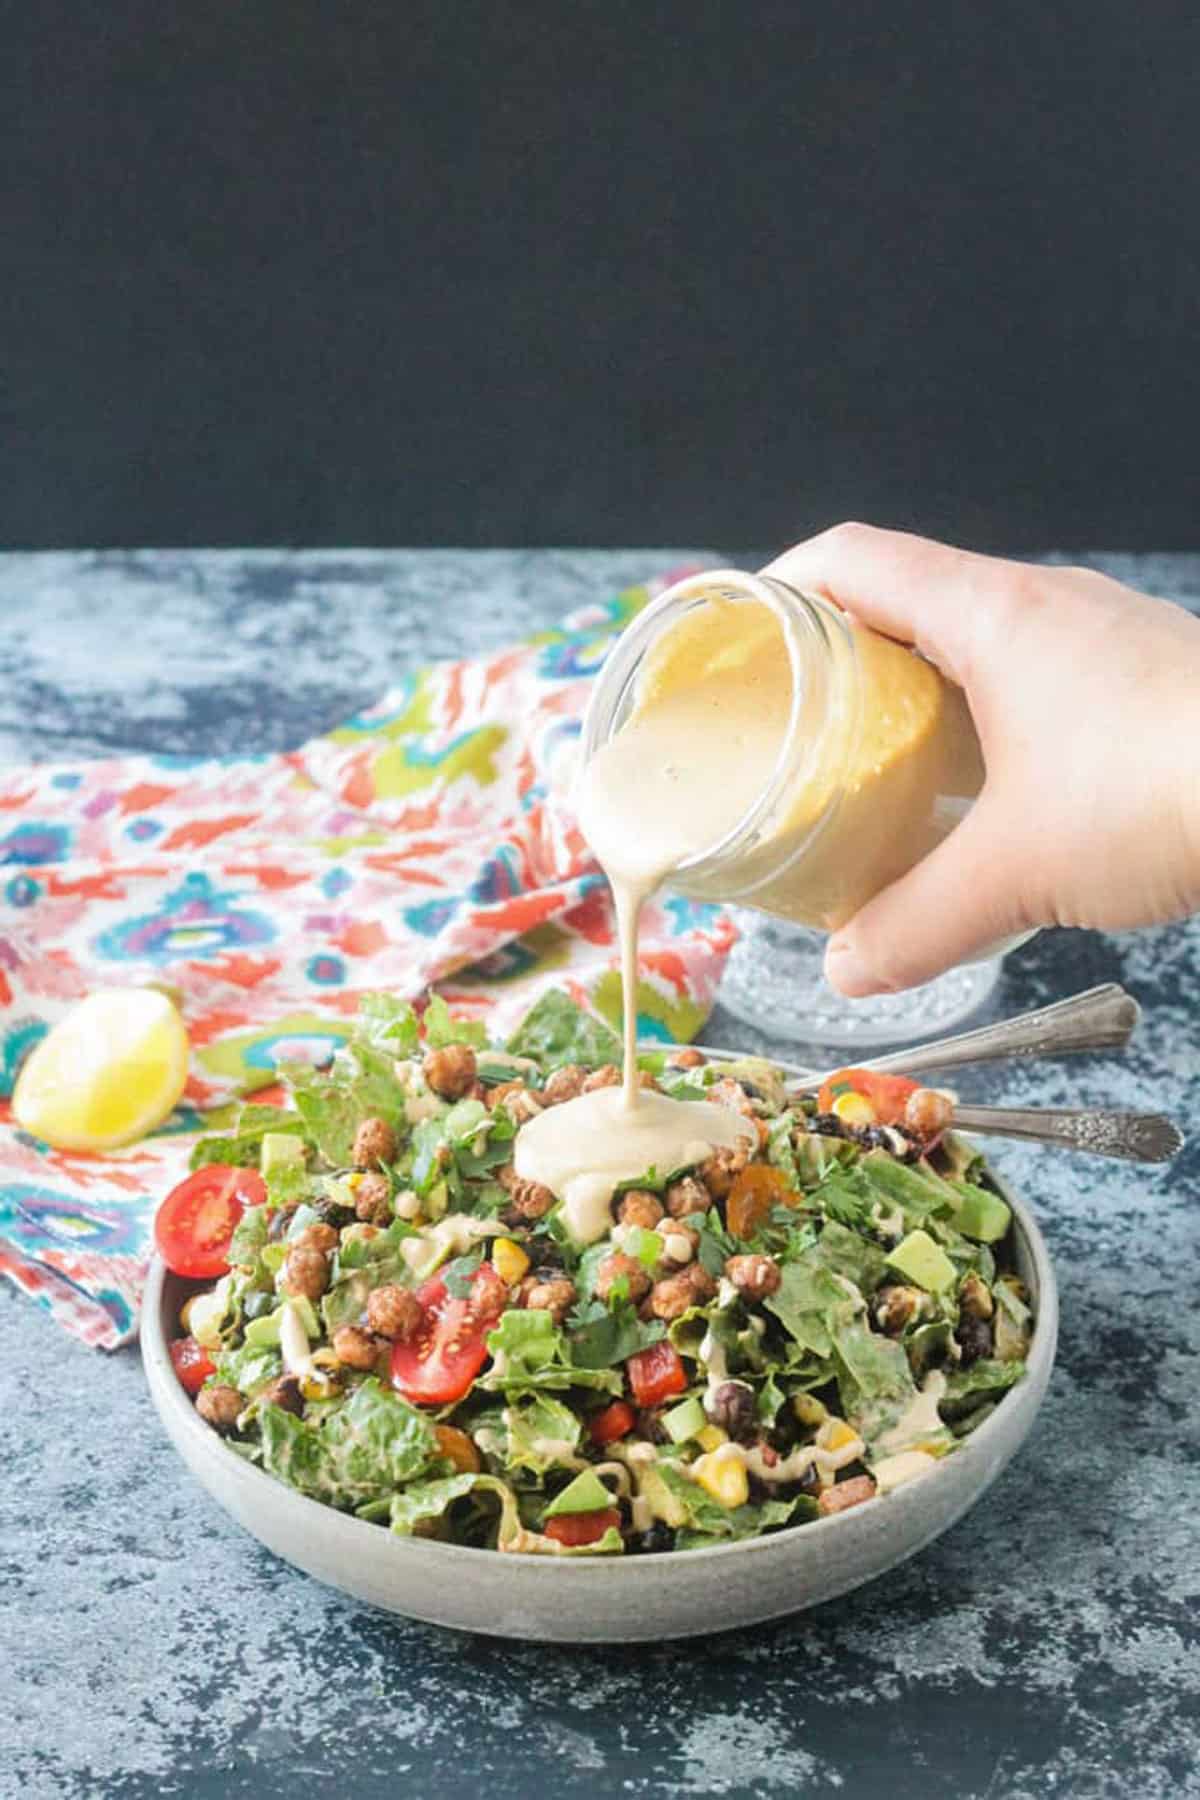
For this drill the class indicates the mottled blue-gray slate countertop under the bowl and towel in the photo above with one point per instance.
(1046, 1646)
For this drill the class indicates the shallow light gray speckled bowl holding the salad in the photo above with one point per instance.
(578, 1601)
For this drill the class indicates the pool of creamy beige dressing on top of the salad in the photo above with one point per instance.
(586, 1147)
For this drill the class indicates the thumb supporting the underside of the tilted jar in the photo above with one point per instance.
(958, 903)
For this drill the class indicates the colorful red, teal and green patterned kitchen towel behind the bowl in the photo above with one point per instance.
(424, 841)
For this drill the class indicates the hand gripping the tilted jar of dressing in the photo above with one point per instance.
(1088, 705)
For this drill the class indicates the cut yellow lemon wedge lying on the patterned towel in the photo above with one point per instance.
(107, 1074)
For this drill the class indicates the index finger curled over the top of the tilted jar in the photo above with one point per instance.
(922, 593)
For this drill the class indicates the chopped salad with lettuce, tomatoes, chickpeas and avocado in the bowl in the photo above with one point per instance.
(402, 1327)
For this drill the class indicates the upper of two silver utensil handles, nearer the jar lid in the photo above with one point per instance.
(1098, 1020)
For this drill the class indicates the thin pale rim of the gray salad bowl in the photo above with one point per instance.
(170, 1398)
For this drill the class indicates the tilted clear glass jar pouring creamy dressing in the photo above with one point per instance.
(879, 757)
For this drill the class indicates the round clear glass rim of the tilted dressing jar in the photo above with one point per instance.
(622, 669)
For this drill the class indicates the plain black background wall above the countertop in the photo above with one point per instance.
(598, 274)
